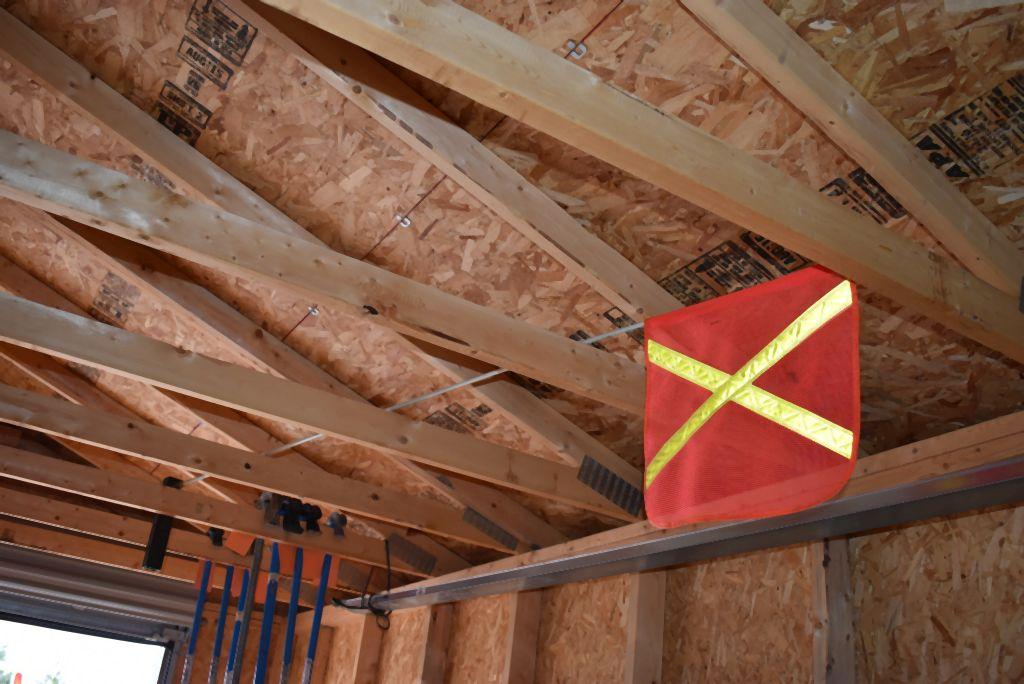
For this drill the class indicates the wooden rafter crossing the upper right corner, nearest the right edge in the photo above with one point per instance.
(765, 42)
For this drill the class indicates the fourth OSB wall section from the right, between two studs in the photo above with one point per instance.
(480, 640)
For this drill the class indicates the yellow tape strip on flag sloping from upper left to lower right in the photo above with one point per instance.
(803, 422)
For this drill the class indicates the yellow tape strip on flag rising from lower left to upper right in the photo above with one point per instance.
(821, 313)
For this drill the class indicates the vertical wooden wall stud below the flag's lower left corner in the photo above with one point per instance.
(646, 628)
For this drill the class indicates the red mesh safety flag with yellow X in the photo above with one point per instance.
(753, 402)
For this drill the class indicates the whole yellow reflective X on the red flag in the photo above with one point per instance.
(739, 388)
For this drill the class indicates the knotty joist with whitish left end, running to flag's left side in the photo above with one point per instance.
(52, 181)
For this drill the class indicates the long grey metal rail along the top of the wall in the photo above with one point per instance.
(991, 485)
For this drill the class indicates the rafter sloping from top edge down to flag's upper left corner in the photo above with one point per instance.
(464, 159)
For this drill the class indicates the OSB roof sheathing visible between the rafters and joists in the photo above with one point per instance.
(951, 82)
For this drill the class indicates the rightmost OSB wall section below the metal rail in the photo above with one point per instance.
(942, 602)
